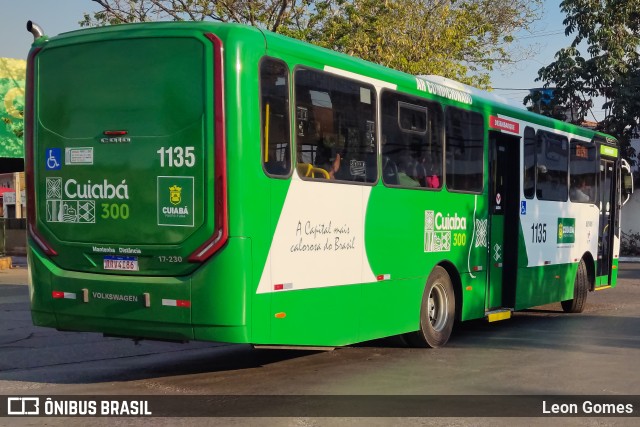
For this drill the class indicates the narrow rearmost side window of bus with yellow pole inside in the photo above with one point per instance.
(276, 134)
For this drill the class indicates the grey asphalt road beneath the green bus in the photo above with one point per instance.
(538, 352)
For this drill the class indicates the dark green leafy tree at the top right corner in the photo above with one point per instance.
(610, 31)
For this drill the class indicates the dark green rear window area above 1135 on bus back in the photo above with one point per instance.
(148, 87)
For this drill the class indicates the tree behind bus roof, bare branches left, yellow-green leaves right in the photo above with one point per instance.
(459, 39)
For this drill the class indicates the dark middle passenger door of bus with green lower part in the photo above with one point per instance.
(504, 214)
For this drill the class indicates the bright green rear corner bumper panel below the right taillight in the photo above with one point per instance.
(226, 277)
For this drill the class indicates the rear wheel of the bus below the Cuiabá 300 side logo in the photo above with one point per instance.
(437, 312)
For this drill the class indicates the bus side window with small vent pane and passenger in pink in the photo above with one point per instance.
(411, 141)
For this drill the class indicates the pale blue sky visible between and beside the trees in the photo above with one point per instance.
(58, 16)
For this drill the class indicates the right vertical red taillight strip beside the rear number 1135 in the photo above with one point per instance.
(221, 220)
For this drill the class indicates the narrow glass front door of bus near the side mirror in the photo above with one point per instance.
(607, 206)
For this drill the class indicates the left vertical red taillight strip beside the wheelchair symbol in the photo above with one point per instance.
(29, 123)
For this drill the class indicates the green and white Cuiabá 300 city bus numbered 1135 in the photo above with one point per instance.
(210, 181)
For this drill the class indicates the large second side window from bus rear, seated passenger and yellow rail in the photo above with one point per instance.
(335, 127)
